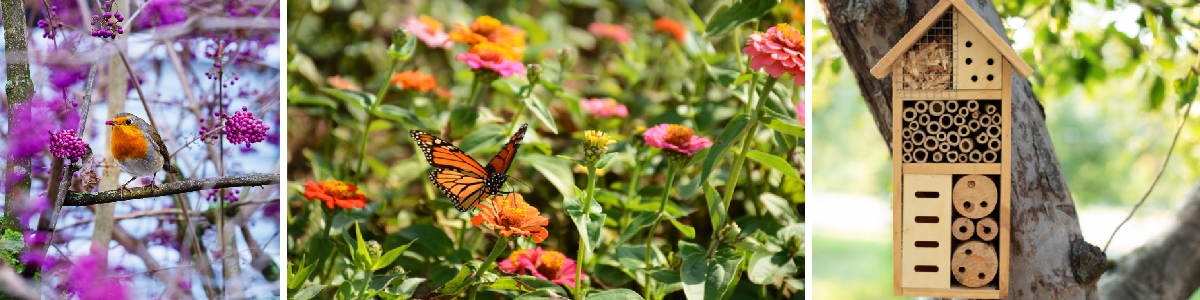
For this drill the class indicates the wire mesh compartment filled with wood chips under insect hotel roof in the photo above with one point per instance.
(928, 69)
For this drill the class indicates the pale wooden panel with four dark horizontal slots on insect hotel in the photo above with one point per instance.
(915, 232)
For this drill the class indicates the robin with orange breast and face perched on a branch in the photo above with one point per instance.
(137, 148)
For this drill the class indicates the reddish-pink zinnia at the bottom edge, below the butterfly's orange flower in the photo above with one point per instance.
(550, 266)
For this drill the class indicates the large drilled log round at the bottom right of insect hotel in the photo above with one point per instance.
(975, 265)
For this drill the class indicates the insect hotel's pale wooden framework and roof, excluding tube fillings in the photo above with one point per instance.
(910, 177)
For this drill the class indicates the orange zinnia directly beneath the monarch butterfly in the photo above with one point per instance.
(511, 215)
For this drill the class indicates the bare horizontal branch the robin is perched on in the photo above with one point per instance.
(256, 179)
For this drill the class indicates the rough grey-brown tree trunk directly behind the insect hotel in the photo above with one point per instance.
(1045, 223)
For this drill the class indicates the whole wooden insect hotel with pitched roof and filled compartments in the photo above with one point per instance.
(952, 80)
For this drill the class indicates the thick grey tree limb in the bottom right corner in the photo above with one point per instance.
(1167, 268)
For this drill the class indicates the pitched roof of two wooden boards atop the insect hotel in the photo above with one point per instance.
(884, 68)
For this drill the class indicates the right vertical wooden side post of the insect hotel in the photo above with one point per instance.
(1006, 177)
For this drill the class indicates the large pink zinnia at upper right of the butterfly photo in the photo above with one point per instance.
(781, 50)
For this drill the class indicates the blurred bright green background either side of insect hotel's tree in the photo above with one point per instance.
(1105, 71)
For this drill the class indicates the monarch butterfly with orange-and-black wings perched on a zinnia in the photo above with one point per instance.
(460, 177)
